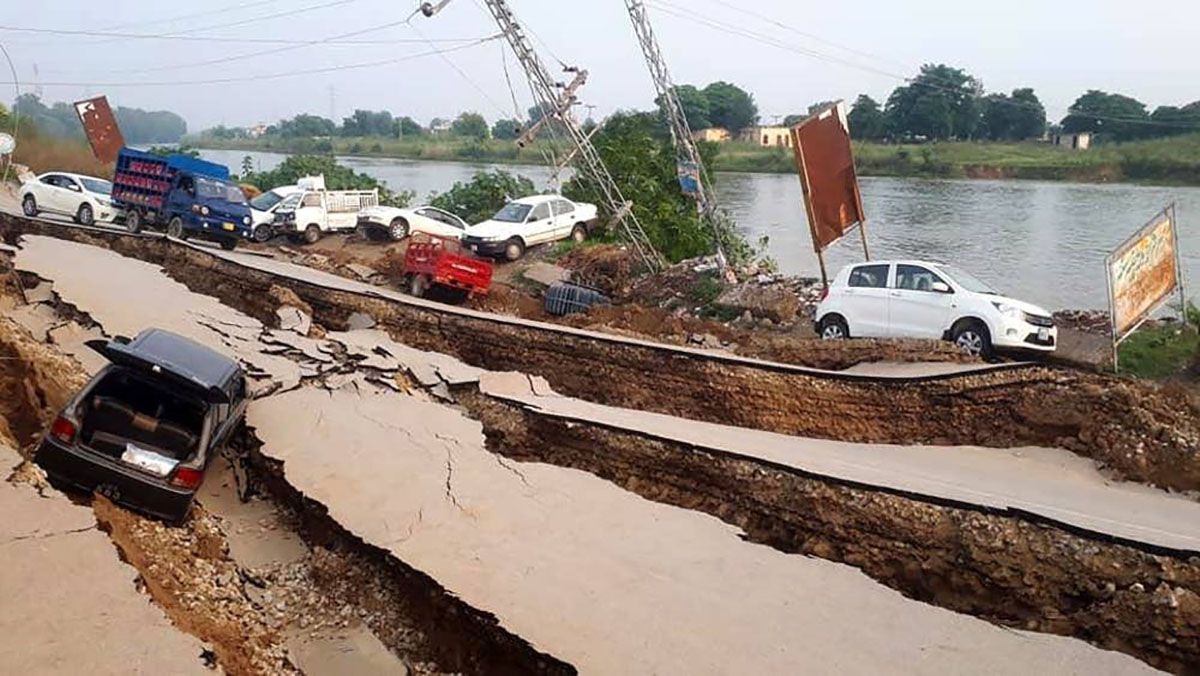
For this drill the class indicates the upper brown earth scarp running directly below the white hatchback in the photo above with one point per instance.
(1139, 432)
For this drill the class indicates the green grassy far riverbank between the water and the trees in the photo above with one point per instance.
(1167, 161)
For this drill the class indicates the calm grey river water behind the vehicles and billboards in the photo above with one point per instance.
(1041, 242)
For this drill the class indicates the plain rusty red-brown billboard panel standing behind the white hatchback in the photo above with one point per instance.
(826, 163)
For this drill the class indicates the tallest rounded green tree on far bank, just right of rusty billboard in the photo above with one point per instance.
(940, 104)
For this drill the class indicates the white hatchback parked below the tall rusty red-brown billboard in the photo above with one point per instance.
(931, 301)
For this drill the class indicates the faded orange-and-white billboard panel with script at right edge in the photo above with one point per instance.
(1143, 273)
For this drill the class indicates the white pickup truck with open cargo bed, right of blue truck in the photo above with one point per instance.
(314, 212)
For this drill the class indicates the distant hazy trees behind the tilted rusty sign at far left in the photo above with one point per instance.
(139, 127)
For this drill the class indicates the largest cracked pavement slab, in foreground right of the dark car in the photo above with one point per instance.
(556, 558)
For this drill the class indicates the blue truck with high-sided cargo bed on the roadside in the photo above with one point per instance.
(187, 196)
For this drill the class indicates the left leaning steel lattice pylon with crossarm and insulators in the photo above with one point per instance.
(556, 101)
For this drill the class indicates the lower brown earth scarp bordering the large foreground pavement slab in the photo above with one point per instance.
(1012, 572)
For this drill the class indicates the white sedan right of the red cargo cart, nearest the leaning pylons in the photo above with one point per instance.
(525, 223)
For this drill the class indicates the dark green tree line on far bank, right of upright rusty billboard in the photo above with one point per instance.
(947, 104)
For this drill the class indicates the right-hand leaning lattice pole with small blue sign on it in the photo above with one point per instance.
(688, 158)
